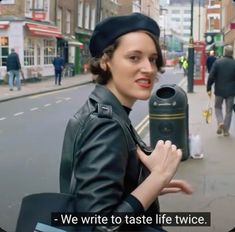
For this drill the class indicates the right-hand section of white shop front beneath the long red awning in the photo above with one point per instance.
(40, 43)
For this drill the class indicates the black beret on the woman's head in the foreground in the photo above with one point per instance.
(108, 30)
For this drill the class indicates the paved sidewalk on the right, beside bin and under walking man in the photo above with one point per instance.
(212, 177)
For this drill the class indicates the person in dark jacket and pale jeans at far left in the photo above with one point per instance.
(13, 70)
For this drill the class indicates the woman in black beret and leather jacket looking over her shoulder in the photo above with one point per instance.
(101, 149)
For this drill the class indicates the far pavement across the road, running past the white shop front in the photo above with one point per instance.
(43, 86)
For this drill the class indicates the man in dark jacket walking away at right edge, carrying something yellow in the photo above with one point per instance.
(222, 75)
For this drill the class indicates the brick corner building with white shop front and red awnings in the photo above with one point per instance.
(30, 26)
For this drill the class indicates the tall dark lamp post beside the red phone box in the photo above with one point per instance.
(191, 55)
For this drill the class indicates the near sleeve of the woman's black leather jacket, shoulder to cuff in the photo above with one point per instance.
(101, 168)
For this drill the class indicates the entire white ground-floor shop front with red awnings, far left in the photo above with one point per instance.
(34, 42)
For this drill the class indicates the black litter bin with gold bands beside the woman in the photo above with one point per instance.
(168, 117)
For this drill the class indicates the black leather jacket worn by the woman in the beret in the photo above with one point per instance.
(101, 142)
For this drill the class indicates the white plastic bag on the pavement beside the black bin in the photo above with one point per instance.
(195, 146)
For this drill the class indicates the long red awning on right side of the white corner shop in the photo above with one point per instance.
(39, 29)
